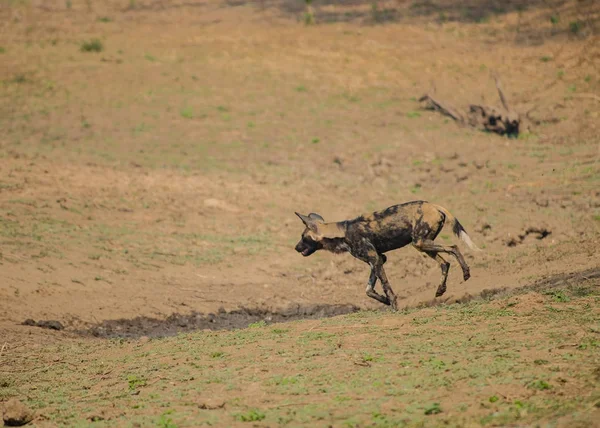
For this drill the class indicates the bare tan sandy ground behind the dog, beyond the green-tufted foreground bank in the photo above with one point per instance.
(160, 175)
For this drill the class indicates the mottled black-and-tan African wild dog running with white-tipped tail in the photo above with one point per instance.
(368, 237)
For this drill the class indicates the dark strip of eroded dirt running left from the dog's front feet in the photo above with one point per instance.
(222, 320)
